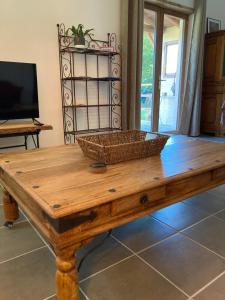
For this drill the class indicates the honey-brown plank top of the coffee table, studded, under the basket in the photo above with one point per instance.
(60, 175)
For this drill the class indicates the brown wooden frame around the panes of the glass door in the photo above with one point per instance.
(160, 12)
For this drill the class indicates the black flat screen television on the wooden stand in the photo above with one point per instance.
(18, 91)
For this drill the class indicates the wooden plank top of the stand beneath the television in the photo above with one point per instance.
(10, 128)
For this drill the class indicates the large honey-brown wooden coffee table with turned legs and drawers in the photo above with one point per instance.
(70, 205)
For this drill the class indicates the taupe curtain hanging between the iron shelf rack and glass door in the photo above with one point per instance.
(132, 19)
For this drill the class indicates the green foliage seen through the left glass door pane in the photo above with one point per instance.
(147, 65)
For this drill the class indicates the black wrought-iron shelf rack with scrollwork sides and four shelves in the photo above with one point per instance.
(101, 109)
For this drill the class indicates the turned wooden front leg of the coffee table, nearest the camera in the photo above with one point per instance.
(67, 286)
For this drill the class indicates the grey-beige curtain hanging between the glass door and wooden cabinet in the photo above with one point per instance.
(191, 107)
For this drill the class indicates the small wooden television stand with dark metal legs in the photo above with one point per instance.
(22, 129)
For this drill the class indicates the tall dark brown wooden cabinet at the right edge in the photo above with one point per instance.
(213, 83)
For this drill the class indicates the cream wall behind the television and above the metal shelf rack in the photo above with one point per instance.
(29, 34)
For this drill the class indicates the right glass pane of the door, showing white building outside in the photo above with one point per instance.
(171, 73)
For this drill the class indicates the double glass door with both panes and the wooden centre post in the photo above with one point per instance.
(162, 69)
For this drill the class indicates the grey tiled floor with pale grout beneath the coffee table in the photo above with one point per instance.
(177, 253)
